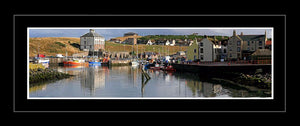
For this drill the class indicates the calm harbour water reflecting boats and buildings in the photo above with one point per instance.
(126, 82)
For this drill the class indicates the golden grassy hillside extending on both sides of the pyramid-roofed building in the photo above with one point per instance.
(50, 46)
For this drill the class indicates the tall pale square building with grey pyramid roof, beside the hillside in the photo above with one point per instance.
(92, 41)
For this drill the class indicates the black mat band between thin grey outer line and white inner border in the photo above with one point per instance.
(278, 104)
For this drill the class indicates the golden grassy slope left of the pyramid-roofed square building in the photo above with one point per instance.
(50, 46)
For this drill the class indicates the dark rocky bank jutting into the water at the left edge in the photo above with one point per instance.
(39, 74)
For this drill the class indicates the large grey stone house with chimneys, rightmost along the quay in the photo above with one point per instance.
(240, 47)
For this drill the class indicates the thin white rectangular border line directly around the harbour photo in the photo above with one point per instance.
(187, 98)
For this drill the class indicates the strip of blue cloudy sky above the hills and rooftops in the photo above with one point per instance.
(111, 33)
